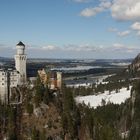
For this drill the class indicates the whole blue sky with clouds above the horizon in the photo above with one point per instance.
(83, 29)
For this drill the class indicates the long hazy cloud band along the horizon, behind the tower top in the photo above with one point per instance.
(116, 50)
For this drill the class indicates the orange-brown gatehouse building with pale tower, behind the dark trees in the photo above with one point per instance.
(51, 78)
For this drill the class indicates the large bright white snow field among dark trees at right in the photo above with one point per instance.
(96, 100)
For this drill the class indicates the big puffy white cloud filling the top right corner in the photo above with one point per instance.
(126, 10)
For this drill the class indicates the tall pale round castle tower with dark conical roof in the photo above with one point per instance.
(20, 62)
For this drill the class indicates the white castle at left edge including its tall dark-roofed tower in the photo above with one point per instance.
(11, 78)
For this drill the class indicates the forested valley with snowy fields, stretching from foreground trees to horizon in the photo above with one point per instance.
(97, 98)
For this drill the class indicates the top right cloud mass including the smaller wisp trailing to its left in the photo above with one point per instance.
(124, 10)
